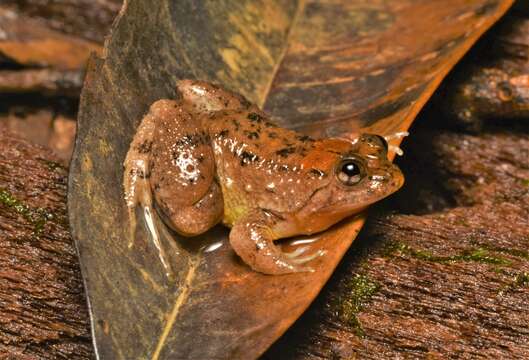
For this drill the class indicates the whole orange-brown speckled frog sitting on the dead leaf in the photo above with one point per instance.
(210, 156)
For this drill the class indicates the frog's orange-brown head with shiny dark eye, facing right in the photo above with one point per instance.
(359, 174)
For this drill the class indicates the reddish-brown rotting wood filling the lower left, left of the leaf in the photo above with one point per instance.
(42, 308)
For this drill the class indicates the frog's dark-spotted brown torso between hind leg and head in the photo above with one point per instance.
(260, 164)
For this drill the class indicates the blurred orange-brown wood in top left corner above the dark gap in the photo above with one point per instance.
(55, 37)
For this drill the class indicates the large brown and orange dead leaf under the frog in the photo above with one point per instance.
(324, 68)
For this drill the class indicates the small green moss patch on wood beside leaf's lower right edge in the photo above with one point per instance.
(359, 291)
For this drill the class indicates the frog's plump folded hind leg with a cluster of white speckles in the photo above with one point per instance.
(182, 170)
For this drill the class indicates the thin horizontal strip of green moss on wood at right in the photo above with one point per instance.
(480, 255)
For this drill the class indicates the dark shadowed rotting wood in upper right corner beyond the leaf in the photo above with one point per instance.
(493, 81)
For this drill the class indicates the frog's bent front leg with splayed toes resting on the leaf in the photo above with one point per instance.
(252, 238)
